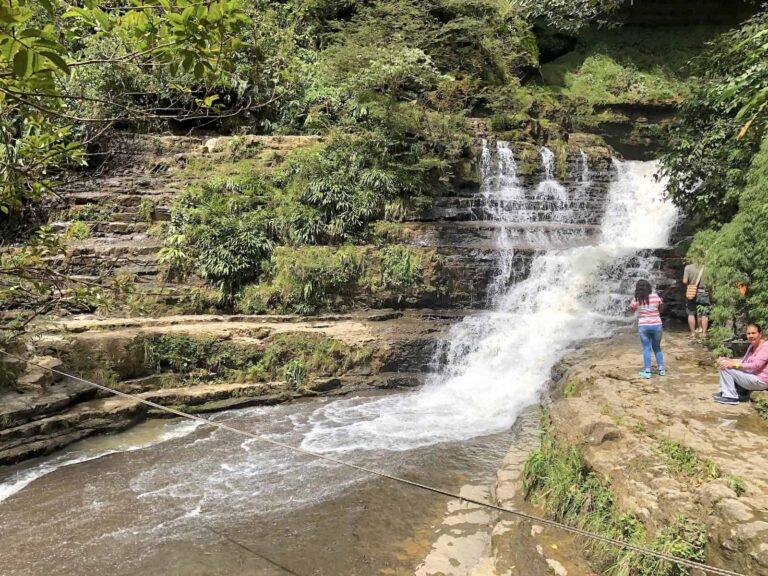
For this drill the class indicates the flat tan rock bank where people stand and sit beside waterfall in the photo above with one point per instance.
(661, 448)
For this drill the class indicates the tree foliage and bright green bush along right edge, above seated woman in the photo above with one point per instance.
(717, 164)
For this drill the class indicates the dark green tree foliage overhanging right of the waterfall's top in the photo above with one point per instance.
(721, 125)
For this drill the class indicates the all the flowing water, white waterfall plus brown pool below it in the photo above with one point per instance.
(176, 498)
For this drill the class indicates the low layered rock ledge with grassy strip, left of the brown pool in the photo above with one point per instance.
(205, 364)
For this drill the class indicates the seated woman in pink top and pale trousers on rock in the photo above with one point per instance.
(749, 373)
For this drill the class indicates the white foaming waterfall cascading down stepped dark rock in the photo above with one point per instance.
(498, 361)
